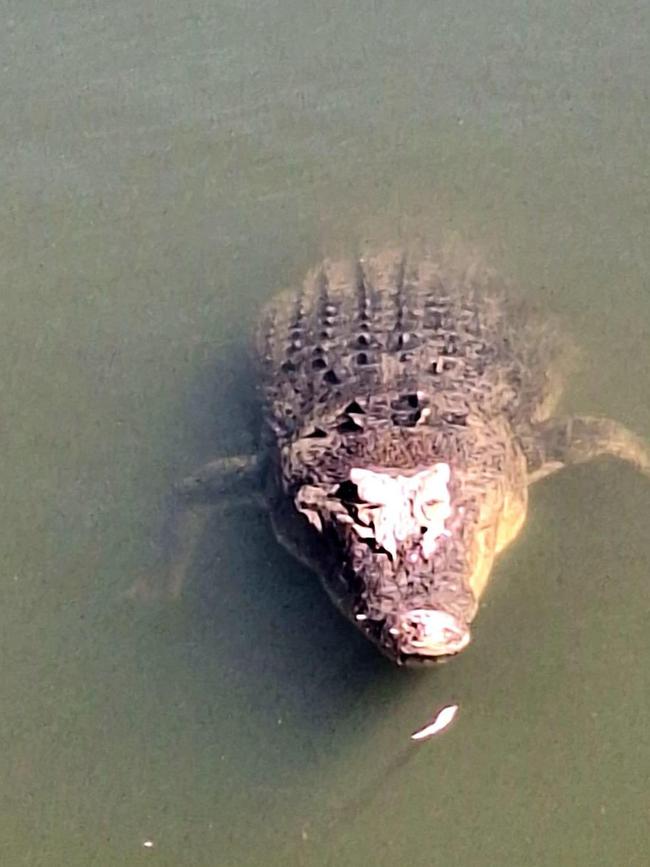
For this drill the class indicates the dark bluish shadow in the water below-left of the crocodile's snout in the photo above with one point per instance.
(269, 617)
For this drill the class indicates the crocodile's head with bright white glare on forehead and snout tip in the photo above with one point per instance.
(399, 569)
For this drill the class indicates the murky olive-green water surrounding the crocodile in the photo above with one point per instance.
(165, 168)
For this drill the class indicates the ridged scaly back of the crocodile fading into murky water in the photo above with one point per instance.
(429, 341)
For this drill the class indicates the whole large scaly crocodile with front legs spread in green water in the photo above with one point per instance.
(408, 405)
